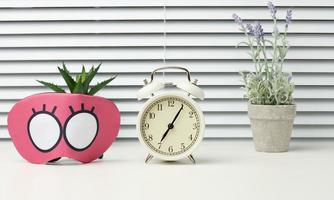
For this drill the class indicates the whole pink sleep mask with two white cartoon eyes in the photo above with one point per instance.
(47, 126)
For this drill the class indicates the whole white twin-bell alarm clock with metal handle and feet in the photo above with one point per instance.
(171, 124)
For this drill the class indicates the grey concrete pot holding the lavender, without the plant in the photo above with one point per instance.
(271, 126)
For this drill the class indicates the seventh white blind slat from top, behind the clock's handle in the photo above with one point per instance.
(135, 79)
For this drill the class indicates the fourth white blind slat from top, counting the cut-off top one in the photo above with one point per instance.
(151, 40)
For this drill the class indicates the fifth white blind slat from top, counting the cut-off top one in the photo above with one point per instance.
(153, 53)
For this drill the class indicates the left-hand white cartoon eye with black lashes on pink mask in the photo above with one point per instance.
(44, 129)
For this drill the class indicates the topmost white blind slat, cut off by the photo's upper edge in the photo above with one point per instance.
(149, 3)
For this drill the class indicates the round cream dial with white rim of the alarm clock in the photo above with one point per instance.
(171, 126)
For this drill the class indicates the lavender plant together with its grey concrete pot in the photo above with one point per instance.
(269, 90)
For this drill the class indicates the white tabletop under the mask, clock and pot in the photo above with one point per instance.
(225, 169)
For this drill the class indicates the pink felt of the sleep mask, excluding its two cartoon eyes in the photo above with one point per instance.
(105, 111)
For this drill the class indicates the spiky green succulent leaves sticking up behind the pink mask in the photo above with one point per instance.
(81, 84)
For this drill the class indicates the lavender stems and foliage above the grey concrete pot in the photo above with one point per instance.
(268, 84)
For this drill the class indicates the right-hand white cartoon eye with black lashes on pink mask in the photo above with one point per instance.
(87, 122)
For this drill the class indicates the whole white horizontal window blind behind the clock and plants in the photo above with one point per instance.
(35, 36)
